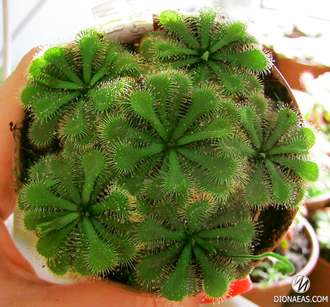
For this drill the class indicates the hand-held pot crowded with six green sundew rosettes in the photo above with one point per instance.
(157, 168)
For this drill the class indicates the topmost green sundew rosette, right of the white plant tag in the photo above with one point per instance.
(209, 47)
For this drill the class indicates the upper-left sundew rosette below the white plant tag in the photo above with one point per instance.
(63, 87)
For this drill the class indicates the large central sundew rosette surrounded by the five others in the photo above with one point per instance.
(168, 127)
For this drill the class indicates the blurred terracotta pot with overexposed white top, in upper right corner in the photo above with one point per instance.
(296, 48)
